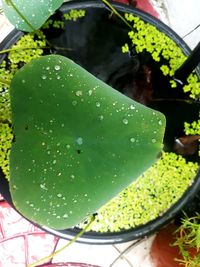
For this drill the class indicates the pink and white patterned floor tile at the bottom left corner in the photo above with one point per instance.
(21, 243)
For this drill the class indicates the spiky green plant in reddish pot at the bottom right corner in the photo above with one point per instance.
(188, 237)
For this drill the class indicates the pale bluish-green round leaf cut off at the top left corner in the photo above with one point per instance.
(31, 14)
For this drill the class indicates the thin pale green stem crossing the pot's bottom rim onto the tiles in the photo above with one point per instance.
(64, 247)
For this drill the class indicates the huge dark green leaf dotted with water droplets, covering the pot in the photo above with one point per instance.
(78, 142)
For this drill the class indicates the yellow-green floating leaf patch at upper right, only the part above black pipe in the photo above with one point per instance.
(146, 37)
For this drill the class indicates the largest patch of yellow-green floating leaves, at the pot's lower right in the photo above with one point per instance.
(148, 197)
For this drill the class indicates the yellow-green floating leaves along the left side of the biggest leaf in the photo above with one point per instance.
(29, 46)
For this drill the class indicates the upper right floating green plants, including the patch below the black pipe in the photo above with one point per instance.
(146, 37)
